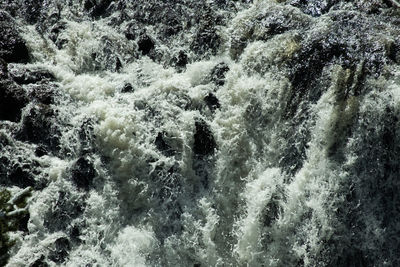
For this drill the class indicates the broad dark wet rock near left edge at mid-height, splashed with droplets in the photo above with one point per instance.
(39, 126)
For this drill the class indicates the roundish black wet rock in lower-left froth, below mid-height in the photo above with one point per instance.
(83, 173)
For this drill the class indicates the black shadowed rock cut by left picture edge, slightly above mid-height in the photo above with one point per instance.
(12, 99)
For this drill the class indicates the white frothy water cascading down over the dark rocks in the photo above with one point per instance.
(252, 216)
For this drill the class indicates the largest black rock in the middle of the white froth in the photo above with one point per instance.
(204, 143)
